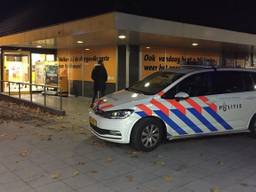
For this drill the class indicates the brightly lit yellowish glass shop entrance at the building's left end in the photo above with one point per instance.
(17, 69)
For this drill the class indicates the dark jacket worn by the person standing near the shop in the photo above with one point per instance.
(100, 76)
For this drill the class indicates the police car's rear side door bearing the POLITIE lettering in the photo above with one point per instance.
(231, 98)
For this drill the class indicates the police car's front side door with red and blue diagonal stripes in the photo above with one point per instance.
(196, 114)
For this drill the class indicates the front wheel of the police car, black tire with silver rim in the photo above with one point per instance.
(147, 134)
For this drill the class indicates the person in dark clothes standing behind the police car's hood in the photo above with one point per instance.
(99, 76)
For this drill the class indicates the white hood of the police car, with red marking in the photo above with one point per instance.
(119, 99)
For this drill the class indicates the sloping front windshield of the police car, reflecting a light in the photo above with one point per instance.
(155, 82)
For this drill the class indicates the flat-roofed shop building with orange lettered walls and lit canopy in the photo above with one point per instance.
(131, 47)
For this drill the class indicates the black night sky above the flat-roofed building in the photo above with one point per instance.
(17, 15)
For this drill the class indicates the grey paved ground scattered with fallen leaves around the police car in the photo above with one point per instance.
(45, 153)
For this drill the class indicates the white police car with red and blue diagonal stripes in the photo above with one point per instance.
(178, 103)
